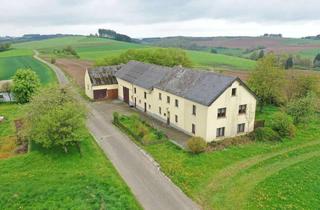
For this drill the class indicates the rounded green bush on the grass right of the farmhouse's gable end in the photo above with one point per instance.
(282, 124)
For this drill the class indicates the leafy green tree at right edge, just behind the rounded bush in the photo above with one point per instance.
(302, 109)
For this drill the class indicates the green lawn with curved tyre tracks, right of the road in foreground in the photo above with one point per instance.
(237, 177)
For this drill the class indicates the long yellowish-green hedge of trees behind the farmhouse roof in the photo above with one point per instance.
(161, 56)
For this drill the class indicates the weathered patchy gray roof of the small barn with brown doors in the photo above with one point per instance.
(104, 75)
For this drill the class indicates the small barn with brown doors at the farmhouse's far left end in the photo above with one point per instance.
(101, 83)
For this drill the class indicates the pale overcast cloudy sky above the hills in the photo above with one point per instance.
(33, 15)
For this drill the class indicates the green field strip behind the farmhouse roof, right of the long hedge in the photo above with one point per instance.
(204, 59)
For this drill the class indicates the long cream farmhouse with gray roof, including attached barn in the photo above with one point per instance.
(199, 103)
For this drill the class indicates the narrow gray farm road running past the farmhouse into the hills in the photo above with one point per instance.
(151, 187)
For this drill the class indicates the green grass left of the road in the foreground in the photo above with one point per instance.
(52, 179)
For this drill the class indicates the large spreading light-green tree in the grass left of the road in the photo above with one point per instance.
(55, 118)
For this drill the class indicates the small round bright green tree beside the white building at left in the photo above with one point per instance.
(25, 84)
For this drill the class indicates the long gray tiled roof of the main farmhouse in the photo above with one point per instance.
(199, 86)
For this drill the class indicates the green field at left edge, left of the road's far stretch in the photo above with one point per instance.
(15, 59)
